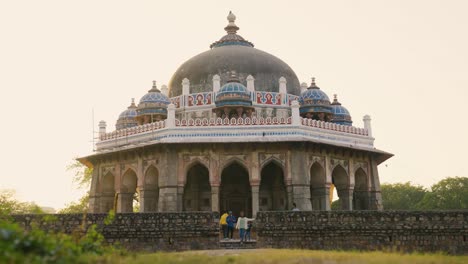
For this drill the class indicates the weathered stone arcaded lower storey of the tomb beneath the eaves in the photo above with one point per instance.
(248, 177)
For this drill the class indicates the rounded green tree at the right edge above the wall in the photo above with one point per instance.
(449, 193)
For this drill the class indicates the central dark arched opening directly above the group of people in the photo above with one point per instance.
(235, 193)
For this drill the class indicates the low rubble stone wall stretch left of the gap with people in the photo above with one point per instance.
(140, 231)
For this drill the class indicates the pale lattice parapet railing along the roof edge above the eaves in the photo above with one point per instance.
(246, 121)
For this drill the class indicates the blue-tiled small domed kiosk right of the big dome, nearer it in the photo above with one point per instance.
(314, 101)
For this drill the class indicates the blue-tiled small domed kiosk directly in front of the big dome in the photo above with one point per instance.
(233, 93)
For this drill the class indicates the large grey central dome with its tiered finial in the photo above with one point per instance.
(233, 53)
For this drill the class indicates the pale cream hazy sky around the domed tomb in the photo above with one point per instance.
(403, 62)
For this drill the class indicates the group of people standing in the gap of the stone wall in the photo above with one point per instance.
(228, 222)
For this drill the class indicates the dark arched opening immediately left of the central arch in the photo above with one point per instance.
(197, 190)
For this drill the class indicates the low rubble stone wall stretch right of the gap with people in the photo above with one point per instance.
(445, 231)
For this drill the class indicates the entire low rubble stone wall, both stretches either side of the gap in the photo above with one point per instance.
(445, 231)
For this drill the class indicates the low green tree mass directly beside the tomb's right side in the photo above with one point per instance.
(402, 196)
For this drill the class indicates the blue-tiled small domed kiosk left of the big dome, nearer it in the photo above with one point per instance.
(154, 102)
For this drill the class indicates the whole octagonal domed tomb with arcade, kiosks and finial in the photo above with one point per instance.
(234, 130)
